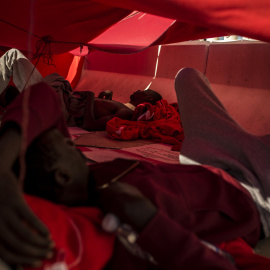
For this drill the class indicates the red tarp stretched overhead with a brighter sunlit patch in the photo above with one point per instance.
(23, 23)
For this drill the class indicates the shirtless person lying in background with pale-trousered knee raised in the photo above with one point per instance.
(80, 108)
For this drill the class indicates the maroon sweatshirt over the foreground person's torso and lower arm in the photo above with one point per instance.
(194, 203)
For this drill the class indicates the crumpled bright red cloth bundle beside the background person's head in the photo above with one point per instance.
(160, 122)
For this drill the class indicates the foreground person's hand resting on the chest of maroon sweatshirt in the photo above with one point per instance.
(128, 204)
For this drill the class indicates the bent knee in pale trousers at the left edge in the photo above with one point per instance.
(14, 63)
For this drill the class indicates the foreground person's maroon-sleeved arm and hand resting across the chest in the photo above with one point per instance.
(170, 244)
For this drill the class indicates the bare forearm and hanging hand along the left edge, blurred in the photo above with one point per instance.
(24, 240)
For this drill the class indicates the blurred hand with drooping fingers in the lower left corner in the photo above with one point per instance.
(24, 240)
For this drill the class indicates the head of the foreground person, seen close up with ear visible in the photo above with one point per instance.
(56, 170)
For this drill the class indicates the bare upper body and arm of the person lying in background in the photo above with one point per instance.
(99, 111)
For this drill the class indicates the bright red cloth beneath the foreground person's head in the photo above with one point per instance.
(80, 242)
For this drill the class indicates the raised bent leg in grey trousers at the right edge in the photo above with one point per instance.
(213, 138)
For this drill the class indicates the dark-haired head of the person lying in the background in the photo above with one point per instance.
(141, 96)
